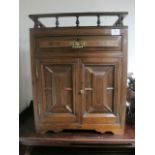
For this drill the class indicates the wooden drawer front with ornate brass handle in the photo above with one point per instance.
(103, 42)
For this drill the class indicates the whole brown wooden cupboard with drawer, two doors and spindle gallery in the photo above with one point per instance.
(79, 76)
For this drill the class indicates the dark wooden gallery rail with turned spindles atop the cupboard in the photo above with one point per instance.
(39, 24)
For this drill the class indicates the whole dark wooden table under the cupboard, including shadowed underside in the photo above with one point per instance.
(72, 142)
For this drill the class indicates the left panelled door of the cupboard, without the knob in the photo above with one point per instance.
(58, 91)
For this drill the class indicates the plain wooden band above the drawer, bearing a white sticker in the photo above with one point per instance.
(73, 31)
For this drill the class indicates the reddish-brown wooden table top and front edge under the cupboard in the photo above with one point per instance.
(72, 138)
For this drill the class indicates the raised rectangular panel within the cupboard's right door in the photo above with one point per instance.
(99, 88)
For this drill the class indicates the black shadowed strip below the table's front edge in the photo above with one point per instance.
(77, 151)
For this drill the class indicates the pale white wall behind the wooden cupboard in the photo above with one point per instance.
(55, 6)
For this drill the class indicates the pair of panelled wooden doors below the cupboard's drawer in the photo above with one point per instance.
(84, 90)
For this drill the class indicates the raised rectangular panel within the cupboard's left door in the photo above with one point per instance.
(58, 88)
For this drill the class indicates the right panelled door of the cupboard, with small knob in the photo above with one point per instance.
(100, 90)
